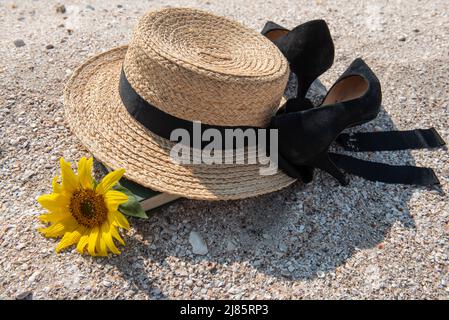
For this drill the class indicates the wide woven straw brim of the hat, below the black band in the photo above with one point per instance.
(97, 116)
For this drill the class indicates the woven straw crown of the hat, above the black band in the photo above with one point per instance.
(201, 67)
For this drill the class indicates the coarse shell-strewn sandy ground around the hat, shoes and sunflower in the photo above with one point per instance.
(321, 240)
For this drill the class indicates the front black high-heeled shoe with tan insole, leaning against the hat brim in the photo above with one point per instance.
(305, 136)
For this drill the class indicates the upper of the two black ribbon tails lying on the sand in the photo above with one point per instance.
(391, 140)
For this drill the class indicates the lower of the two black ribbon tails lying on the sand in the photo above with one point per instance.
(386, 173)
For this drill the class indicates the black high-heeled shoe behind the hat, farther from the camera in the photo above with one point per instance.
(308, 48)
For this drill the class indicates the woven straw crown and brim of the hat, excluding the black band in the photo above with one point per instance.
(194, 66)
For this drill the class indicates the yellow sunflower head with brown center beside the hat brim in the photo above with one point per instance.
(83, 212)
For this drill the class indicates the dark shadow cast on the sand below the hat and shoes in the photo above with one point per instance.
(301, 232)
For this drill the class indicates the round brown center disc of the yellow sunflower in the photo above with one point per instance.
(88, 208)
